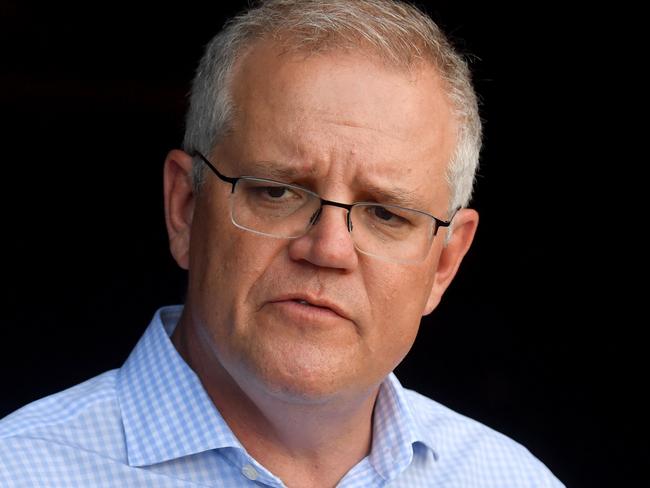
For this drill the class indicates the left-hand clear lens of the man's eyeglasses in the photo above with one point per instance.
(272, 208)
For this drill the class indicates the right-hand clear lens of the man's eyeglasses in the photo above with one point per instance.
(394, 233)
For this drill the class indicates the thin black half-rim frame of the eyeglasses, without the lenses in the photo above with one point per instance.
(314, 219)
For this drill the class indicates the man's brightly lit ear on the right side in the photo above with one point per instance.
(463, 230)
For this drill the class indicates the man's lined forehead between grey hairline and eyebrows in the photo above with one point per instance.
(342, 113)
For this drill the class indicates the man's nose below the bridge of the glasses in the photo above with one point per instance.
(328, 243)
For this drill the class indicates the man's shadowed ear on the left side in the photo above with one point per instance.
(179, 204)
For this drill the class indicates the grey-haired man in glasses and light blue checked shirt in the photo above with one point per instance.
(319, 208)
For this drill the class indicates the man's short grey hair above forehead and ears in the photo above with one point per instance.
(397, 32)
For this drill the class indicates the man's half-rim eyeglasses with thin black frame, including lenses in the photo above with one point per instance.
(281, 210)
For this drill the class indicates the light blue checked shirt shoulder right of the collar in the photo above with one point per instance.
(469, 453)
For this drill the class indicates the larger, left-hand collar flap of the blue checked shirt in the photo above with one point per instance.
(166, 412)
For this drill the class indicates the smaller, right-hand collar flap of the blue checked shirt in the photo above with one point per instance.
(396, 430)
